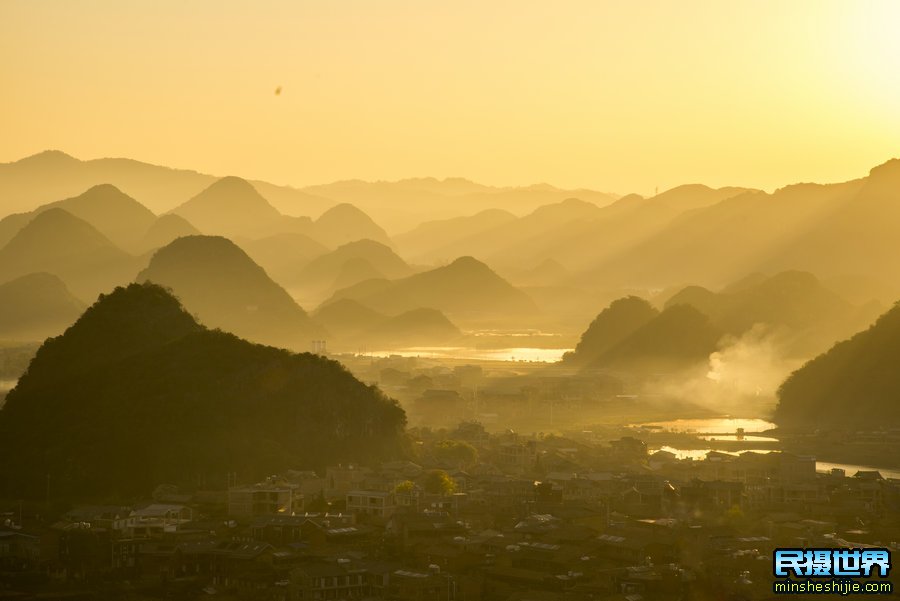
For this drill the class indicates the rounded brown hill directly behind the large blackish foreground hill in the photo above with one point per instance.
(218, 281)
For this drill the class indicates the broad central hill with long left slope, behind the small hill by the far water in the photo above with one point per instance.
(467, 289)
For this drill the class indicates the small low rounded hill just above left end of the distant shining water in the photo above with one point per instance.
(419, 327)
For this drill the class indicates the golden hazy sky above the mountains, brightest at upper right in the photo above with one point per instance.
(619, 96)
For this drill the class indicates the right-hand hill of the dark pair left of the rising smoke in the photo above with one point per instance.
(679, 337)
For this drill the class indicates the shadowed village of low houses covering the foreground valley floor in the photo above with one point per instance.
(483, 516)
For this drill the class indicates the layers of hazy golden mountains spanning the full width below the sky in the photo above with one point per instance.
(567, 255)
